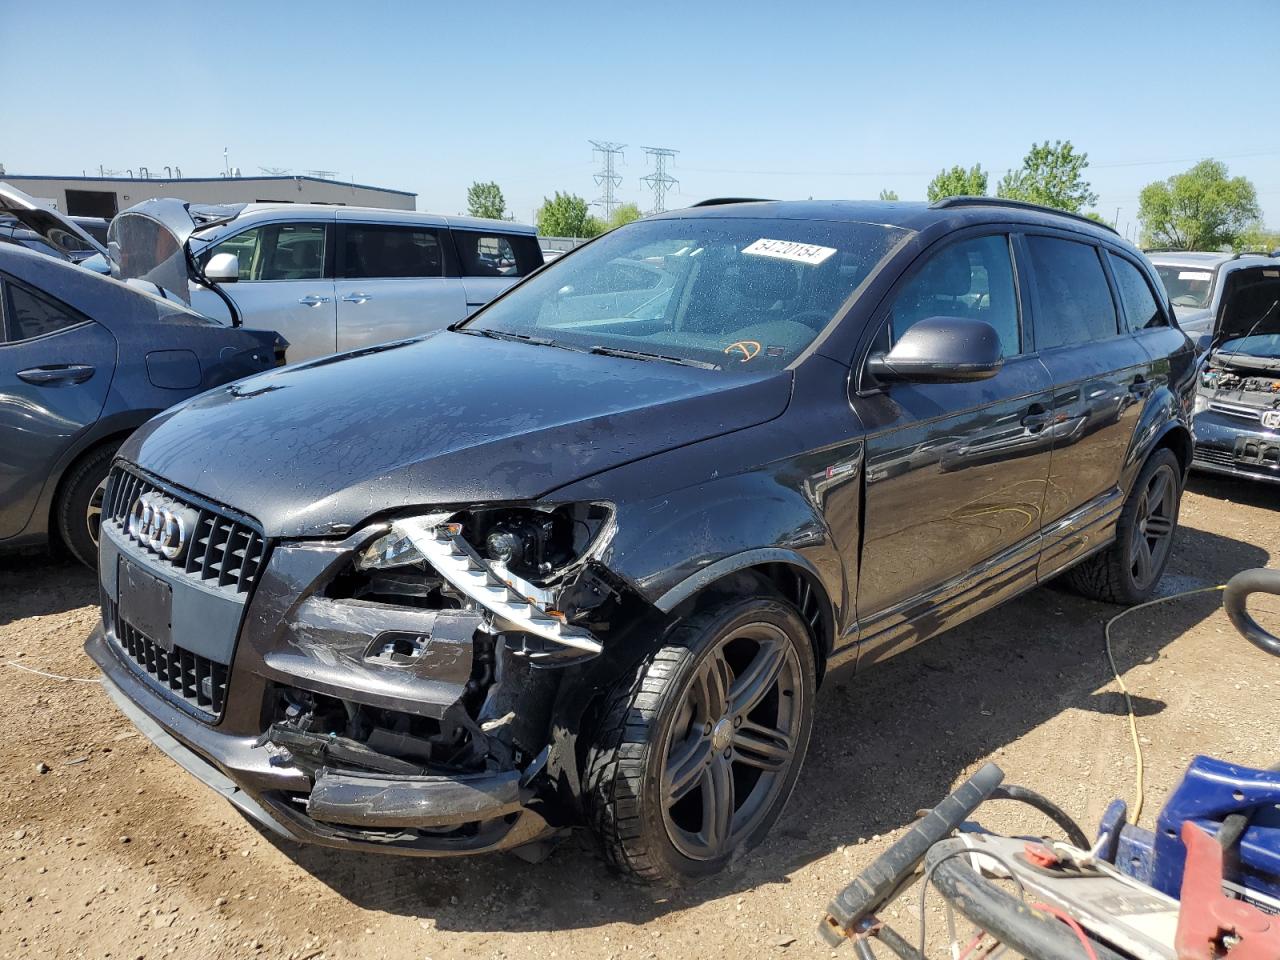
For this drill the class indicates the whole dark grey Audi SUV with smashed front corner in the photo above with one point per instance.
(586, 557)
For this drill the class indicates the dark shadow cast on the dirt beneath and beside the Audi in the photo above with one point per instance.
(886, 744)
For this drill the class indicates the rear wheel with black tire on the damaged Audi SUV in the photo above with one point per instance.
(1119, 574)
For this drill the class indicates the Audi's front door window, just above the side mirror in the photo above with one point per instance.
(972, 280)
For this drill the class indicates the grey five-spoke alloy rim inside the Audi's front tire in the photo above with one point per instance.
(734, 742)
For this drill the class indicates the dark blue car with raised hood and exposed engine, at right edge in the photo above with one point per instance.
(1238, 399)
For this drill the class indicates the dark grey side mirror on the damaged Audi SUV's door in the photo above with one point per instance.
(941, 350)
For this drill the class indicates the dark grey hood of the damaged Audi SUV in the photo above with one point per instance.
(447, 419)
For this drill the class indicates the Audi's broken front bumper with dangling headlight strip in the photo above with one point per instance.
(385, 775)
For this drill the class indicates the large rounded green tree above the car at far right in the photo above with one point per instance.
(1201, 209)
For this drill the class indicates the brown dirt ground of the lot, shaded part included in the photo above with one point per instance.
(115, 852)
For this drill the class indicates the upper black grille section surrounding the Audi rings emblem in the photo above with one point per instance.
(225, 550)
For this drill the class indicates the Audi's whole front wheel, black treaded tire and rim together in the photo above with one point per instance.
(657, 728)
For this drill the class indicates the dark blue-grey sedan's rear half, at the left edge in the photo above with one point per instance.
(85, 360)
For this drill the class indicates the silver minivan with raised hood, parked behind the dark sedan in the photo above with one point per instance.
(328, 278)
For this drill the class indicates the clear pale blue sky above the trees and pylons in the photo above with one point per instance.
(828, 100)
